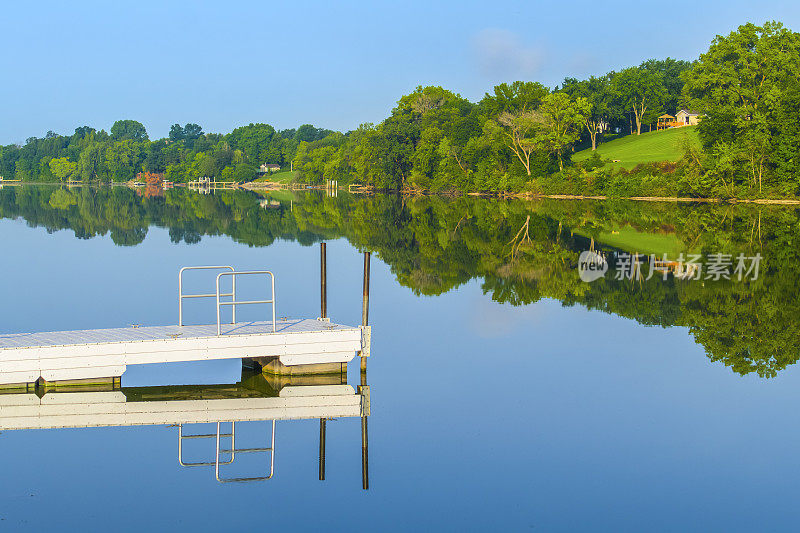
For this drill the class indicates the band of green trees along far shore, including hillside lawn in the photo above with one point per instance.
(522, 137)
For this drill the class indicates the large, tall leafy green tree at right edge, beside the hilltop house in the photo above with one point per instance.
(746, 84)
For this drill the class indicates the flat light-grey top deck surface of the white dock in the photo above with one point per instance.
(155, 333)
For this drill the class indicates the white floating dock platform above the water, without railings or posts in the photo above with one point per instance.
(103, 353)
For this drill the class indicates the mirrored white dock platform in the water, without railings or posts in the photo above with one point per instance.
(136, 406)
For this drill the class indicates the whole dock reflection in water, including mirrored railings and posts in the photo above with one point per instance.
(256, 398)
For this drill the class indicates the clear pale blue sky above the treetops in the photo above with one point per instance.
(333, 64)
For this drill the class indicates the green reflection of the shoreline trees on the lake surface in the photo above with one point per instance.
(435, 244)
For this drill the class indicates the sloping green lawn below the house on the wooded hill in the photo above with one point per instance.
(631, 150)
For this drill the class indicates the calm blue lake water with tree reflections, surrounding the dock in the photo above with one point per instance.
(506, 393)
